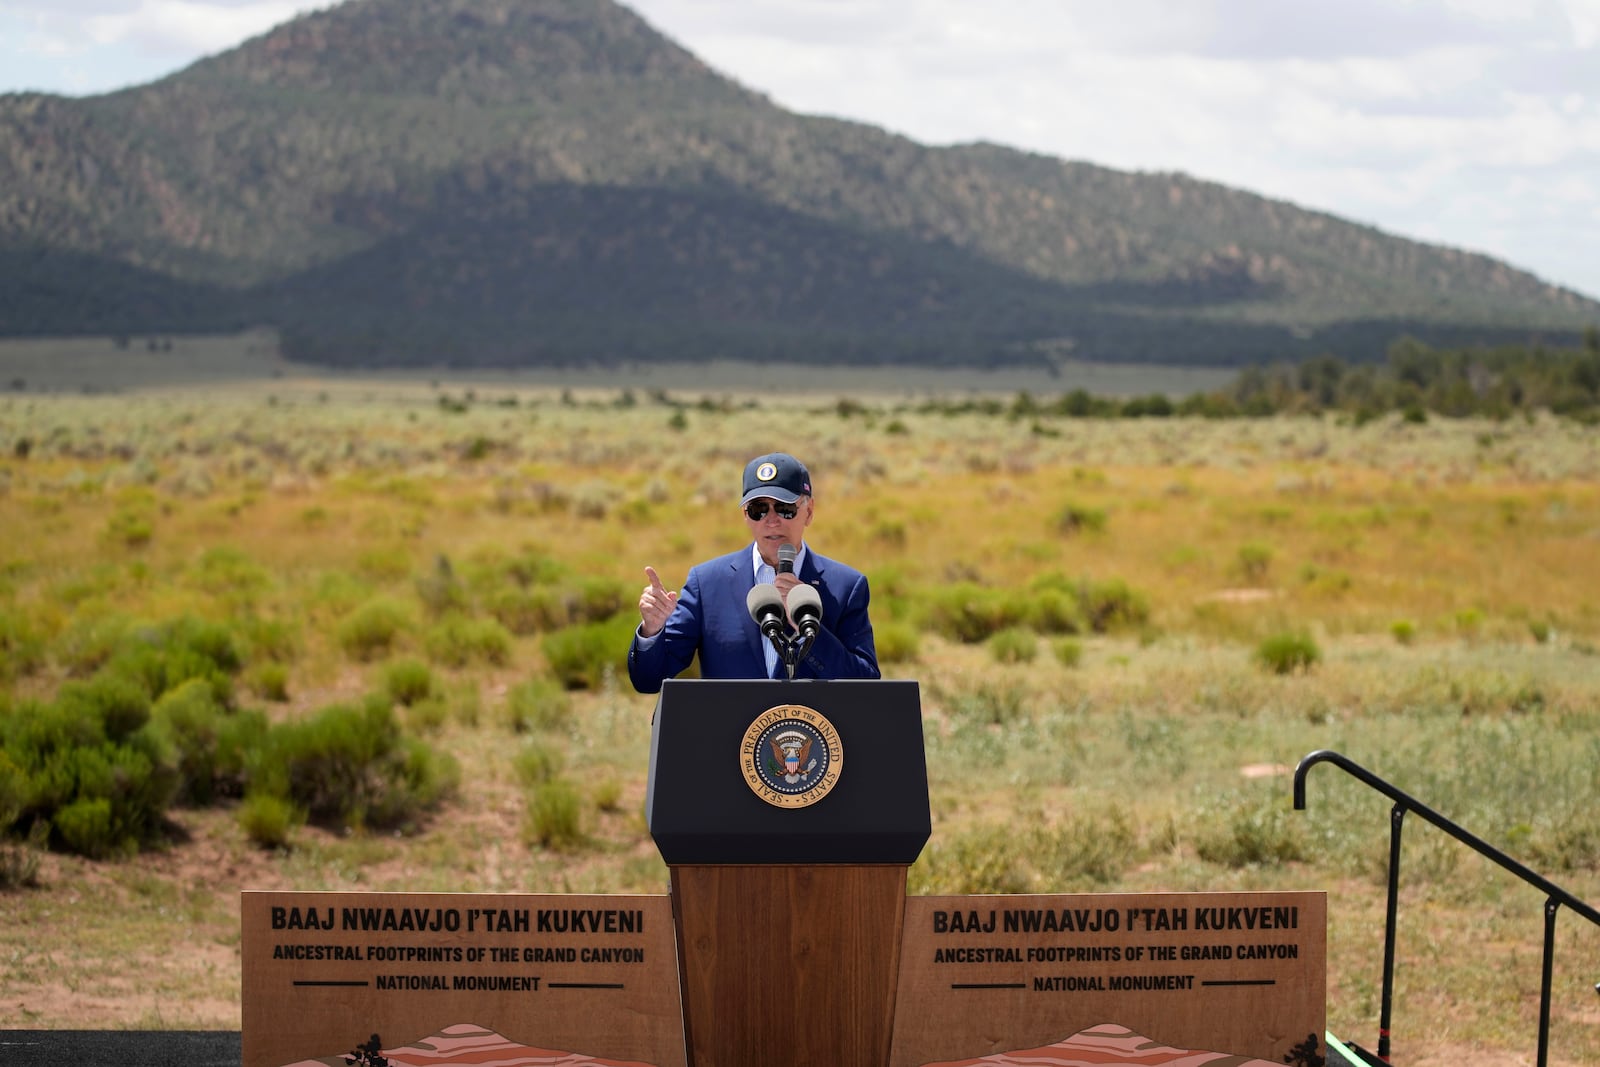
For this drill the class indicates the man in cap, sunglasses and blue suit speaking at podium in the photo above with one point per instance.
(746, 634)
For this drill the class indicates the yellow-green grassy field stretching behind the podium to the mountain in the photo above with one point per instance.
(1438, 573)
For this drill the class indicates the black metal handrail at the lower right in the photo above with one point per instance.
(1554, 900)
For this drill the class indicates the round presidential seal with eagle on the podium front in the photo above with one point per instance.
(791, 756)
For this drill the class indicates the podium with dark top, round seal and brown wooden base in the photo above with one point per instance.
(788, 813)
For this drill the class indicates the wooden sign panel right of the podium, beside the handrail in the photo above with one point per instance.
(1159, 978)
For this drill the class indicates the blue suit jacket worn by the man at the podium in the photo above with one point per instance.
(714, 621)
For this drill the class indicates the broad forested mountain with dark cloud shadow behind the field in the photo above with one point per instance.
(535, 182)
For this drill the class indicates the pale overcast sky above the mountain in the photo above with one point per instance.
(1462, 122)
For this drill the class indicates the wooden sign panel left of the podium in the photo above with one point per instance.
(444, 980)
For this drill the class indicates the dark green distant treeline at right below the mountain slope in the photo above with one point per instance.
(1417, 382)
